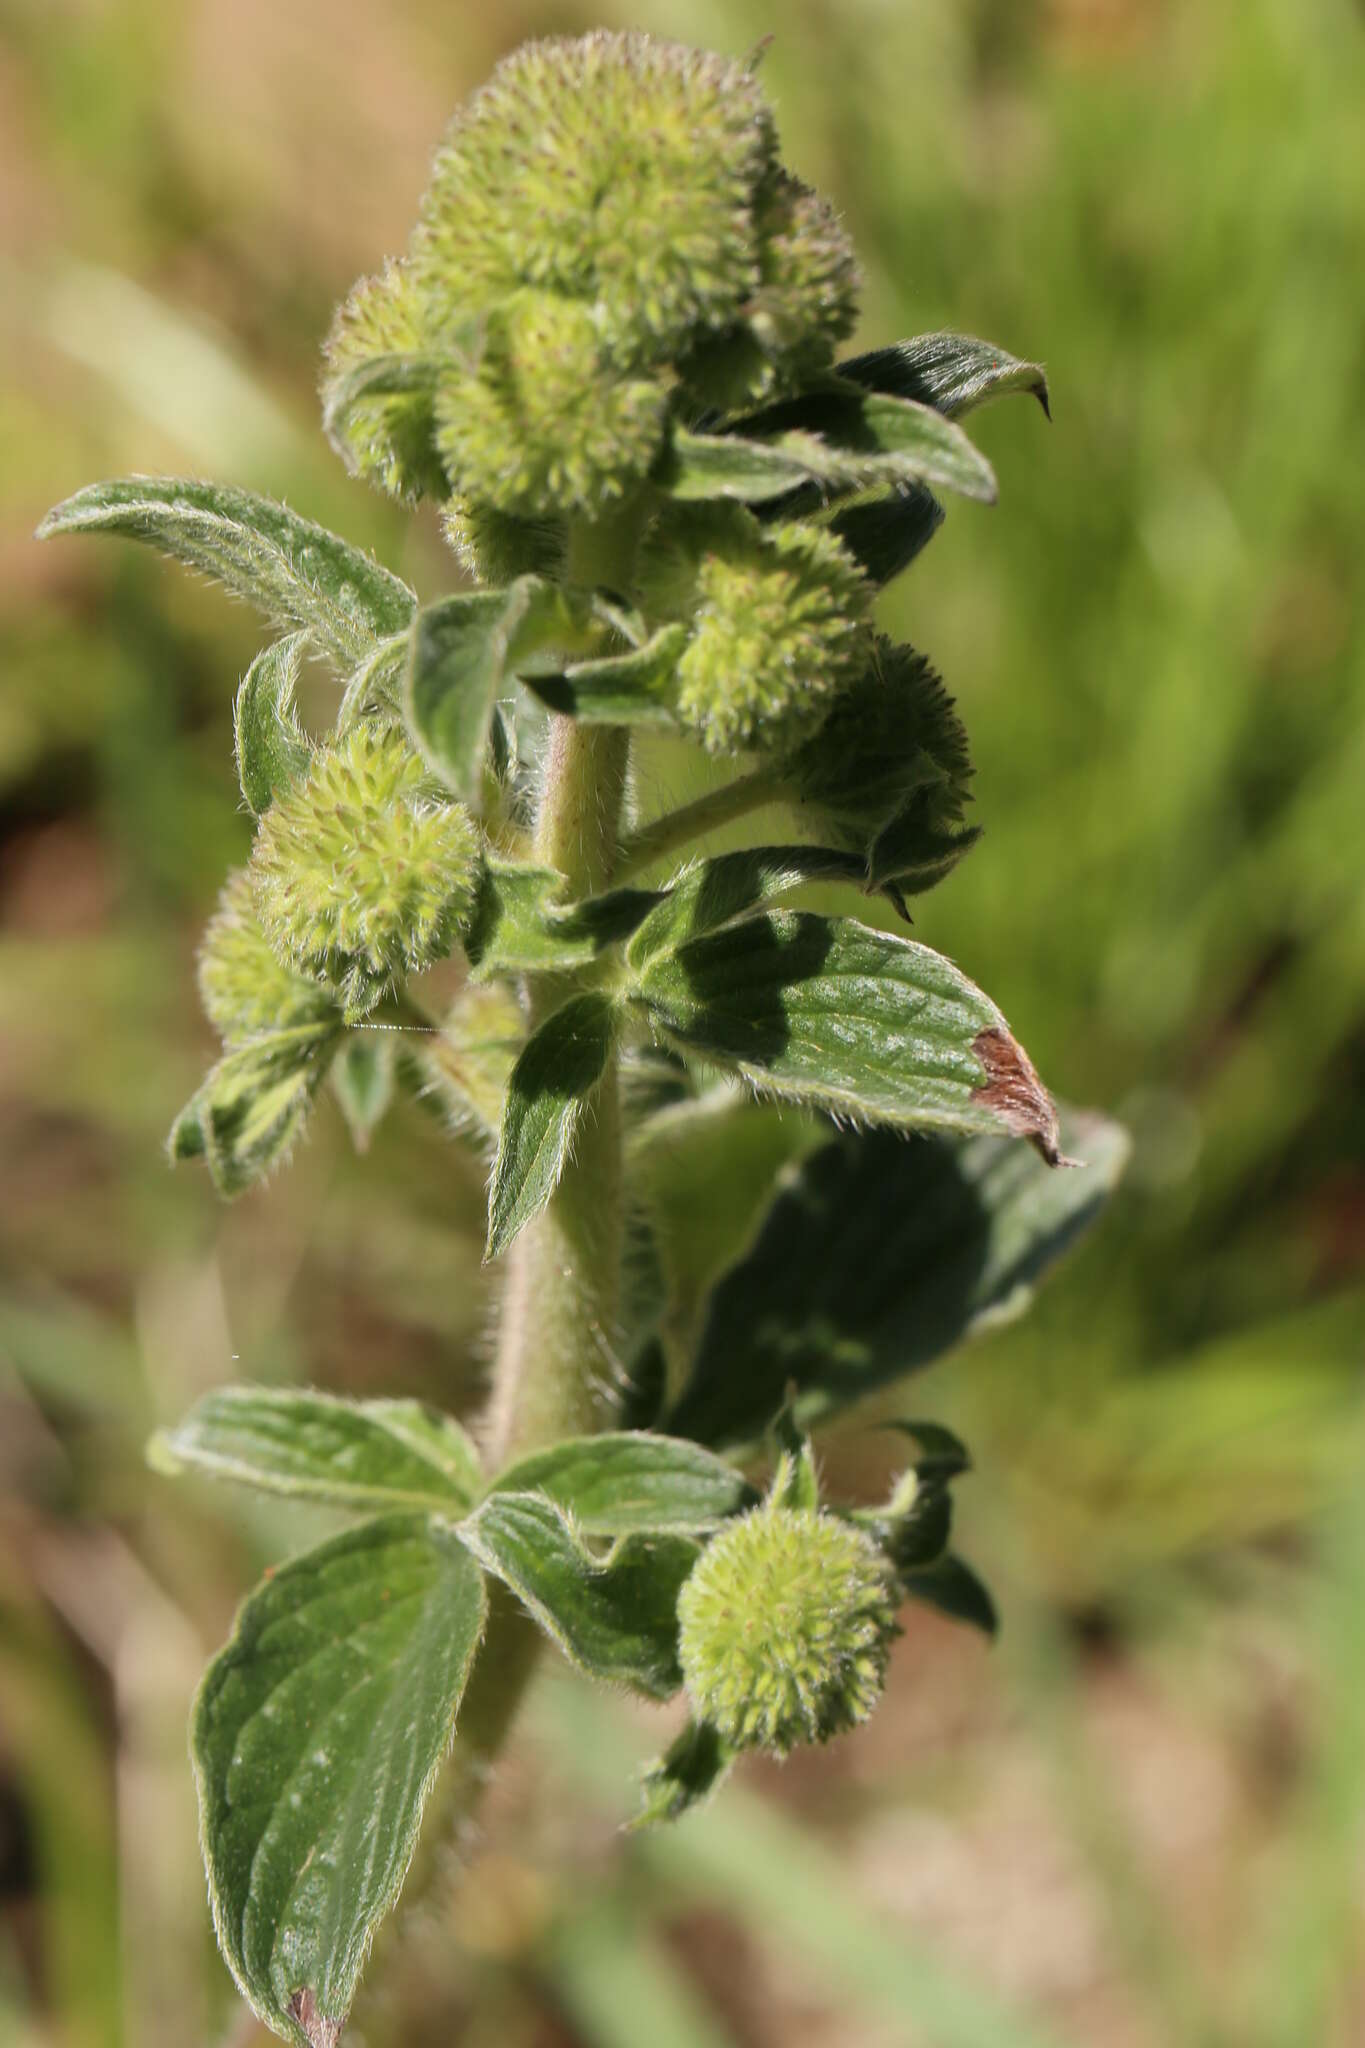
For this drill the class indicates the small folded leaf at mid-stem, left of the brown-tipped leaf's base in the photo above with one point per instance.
(521, 925)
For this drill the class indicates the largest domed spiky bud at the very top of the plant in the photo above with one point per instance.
(617, 171)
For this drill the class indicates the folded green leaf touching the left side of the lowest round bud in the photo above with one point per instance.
(615, 1615)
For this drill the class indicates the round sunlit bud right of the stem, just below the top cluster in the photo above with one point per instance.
(779, 628)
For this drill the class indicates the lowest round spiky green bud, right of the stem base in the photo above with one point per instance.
(787, 1627)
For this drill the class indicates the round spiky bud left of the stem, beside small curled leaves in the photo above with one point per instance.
(363, 871)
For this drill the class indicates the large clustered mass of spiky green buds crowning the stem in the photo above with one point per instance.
(607, 234)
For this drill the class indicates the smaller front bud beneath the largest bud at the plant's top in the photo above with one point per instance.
(543, 423)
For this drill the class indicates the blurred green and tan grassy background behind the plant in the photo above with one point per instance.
(1141, 1822)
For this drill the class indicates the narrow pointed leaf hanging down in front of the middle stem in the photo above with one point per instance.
(547, 1095)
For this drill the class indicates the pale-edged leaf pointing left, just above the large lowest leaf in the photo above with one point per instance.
(316, 1447)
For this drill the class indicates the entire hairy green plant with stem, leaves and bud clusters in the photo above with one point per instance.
(611, 355)
